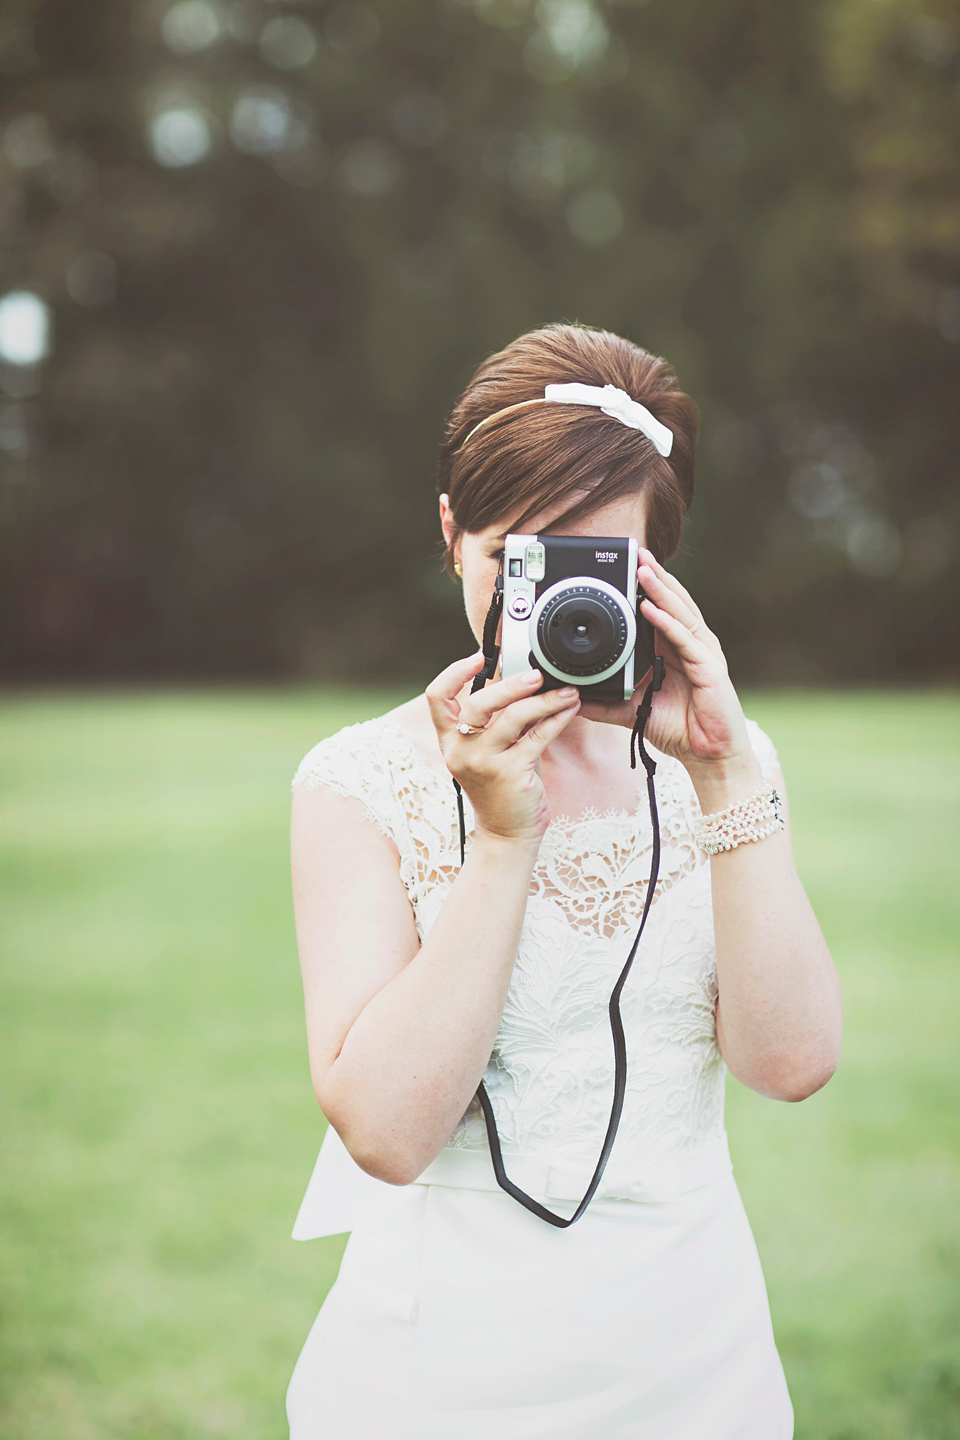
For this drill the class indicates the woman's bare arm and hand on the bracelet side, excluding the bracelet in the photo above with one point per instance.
(779, 1009)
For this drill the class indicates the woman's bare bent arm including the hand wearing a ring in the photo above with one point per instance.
(399, 1033)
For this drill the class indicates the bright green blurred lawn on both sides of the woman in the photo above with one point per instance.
(158, 1118)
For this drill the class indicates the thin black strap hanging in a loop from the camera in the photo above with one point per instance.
(492, 656)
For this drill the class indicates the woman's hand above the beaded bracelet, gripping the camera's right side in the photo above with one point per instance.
(696, 715)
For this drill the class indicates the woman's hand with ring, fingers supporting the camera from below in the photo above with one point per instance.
(500, 768)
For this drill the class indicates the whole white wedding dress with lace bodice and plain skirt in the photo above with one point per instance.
(458, 1315)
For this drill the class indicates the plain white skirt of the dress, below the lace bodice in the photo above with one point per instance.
(461, 1317)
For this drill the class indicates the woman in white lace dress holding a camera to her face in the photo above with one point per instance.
(458, 1315)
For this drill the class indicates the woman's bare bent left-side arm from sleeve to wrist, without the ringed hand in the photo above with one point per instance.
(399, 1033)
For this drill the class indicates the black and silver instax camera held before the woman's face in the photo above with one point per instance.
(571, 610)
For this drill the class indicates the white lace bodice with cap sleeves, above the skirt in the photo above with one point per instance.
(551, 1076)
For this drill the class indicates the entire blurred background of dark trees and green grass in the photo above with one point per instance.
(250, 254)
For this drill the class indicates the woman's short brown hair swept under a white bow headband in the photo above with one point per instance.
(525, 460)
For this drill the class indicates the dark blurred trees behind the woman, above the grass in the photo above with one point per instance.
(273, 241)
